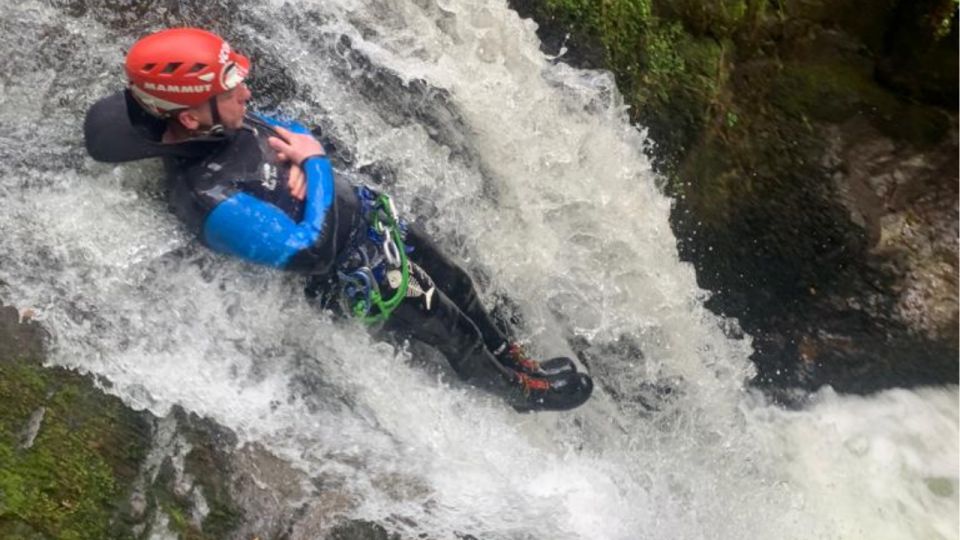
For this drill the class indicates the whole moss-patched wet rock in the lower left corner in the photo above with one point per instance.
(119, 473)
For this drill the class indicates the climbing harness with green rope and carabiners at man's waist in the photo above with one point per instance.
(363, 273)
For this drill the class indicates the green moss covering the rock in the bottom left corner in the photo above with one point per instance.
(69, 482)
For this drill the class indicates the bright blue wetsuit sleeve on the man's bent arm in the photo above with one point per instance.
(260, 232)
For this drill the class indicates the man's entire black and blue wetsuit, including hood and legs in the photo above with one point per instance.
(231, 190)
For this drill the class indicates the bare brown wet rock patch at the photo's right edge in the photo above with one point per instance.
(906, 200)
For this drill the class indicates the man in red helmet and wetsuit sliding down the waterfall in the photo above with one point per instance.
(262, 189)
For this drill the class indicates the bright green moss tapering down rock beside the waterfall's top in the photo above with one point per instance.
(670, 72)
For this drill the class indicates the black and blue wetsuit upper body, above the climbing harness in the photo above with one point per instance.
(236, 200)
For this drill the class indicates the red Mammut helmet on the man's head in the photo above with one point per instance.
(182, 68)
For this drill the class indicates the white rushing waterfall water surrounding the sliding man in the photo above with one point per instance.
(529, 172)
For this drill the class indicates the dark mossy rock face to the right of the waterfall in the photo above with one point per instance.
(811, 148)
